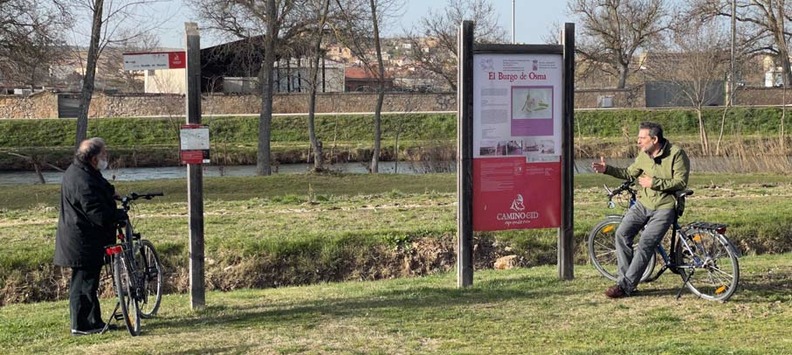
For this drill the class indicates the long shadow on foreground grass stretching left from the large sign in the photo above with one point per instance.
(404, 303)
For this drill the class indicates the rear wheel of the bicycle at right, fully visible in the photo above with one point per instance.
(710, 264)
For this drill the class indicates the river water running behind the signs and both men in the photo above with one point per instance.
(582, 166)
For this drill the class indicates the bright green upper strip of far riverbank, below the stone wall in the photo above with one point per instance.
(133, 132)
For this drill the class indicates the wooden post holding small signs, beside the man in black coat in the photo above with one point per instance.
(194, 171)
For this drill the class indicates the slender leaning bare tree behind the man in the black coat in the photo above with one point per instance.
(109, 21)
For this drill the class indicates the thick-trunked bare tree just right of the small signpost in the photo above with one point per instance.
(270, 24)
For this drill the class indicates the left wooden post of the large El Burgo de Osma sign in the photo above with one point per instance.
(465, 157)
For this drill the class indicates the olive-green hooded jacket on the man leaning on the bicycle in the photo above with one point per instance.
(669, 173)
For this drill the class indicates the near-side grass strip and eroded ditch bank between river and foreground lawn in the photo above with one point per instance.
(301, 229)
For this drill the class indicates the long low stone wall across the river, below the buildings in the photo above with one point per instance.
(45, 104)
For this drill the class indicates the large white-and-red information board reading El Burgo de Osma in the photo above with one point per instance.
(517, 117)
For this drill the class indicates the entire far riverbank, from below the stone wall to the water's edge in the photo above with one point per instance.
(749, 134)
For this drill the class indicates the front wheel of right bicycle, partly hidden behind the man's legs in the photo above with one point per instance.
(602, 249)
